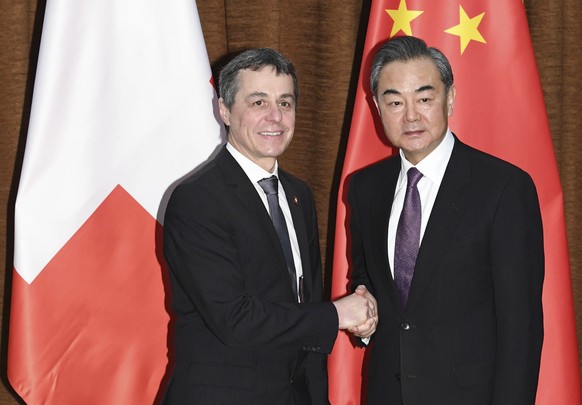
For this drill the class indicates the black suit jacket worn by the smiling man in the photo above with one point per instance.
(240, 336)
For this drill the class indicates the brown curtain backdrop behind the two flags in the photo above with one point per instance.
(324, 40)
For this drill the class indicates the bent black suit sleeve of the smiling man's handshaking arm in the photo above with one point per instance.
(218, 269)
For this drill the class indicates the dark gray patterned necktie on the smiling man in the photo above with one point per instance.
(271, 187)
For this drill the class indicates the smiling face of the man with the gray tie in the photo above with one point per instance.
(262, 119)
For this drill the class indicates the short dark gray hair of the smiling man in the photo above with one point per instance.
(254, 59)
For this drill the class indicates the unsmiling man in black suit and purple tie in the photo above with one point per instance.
(455, 259)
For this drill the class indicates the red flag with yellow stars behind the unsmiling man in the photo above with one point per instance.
(499, 109)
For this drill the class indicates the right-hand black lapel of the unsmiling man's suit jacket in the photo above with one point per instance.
(448, 209)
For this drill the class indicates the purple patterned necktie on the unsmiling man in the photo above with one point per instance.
(407, 237)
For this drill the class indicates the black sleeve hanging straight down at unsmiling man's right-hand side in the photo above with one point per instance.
(517, 260)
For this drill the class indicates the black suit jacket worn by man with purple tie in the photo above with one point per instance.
(472, 330)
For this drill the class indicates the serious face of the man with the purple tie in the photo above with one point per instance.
(414, 106)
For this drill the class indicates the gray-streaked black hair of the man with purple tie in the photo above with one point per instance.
(405, 49)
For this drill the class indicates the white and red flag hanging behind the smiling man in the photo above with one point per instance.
(123, 106)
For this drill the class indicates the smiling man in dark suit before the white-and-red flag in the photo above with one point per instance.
(251, 326)
